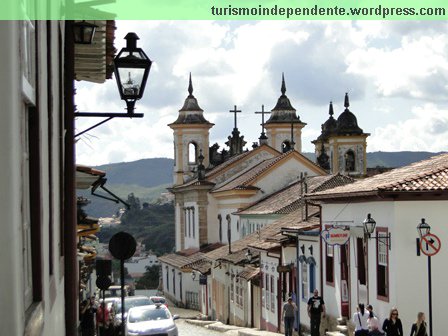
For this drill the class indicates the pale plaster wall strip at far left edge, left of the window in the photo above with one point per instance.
(10, 180)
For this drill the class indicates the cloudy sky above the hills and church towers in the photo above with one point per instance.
(396, 74)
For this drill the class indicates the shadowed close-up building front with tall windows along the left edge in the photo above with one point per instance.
(39, 280)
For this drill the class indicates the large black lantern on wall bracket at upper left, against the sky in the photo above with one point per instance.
(131, 68)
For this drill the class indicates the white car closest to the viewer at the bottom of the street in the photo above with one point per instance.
(151, 320)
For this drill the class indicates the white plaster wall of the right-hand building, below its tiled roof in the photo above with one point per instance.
(408, 275)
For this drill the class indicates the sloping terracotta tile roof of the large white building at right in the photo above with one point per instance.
(427, 175)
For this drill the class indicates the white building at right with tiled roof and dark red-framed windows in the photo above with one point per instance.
(384, 270)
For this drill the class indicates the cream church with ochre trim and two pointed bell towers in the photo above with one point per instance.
(212, 186)
